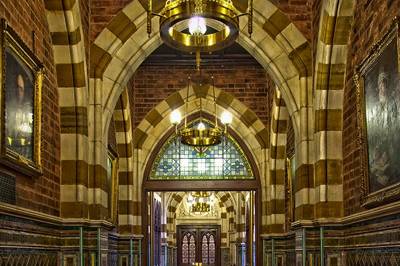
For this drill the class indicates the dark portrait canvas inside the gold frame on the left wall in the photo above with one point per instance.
(19, 105)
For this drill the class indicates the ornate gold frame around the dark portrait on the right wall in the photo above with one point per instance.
(392, 192)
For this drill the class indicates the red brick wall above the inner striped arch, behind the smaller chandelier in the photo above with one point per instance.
(247, 80)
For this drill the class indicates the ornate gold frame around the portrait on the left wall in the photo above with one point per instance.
(9, 39)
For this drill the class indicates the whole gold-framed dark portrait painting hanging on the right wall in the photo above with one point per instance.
(378, 90)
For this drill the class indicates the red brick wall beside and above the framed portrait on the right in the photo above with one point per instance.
(370, 24)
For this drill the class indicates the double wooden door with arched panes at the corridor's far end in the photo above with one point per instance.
(198, 244)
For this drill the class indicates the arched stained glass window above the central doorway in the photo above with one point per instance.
(223, 161)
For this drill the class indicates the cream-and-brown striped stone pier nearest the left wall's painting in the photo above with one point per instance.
(77, 192)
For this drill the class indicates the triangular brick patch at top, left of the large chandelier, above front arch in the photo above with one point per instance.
(102, 12)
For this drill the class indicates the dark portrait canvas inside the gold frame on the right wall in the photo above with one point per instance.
(382, 102)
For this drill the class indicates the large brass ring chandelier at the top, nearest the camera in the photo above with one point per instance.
(197, 26)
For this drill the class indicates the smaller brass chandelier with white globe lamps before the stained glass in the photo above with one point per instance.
(201, 135)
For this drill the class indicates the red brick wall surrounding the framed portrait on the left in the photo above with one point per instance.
(43, 193)
